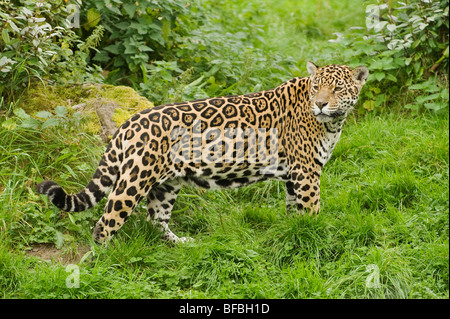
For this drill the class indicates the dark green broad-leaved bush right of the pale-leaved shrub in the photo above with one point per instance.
(137, 34)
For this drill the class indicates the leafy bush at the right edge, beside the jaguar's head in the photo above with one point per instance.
(406, 48)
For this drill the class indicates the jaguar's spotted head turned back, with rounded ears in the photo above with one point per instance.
(334, 89)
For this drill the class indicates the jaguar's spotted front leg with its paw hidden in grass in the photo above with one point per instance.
(303, 192)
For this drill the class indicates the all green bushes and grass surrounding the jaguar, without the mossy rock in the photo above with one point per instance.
(384, 226)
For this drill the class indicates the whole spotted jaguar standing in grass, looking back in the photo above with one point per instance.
(287, 133)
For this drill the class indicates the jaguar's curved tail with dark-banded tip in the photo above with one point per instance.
(104, 178)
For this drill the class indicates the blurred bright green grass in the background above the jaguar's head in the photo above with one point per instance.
(299, 30)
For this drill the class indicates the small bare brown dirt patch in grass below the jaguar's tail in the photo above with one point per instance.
(63, 256)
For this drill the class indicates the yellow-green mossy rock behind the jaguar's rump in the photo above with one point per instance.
(104, 107)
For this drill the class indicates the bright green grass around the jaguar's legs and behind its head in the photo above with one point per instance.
(384, 199)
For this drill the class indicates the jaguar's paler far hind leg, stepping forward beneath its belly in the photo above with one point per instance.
(160, 201)
